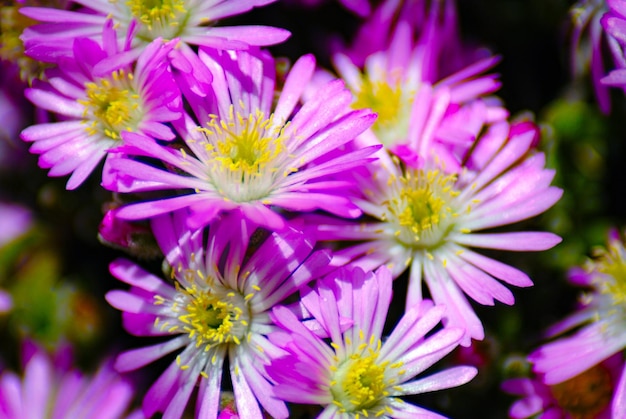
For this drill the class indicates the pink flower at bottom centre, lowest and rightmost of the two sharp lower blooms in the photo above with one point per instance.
(358, 375)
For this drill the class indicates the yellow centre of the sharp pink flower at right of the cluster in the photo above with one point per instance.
(422, 207)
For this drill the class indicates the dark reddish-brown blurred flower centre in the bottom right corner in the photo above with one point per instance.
(585, 395)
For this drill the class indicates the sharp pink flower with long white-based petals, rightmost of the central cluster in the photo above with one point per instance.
(427, 220)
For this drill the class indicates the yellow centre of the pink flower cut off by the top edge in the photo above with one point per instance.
(160, 18)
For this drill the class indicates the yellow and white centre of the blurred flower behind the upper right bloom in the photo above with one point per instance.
(392, 102)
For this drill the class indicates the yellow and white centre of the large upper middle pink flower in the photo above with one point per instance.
(246, 153)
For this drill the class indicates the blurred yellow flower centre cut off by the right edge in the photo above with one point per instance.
(611, 263)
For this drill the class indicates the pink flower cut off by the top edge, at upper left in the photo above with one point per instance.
(191, 21)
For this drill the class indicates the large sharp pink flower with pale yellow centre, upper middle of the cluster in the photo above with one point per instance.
(245, 152)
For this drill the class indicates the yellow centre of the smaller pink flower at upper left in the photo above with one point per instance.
(112, 105)
